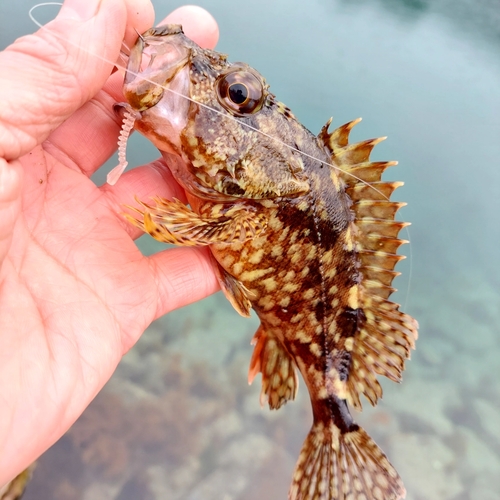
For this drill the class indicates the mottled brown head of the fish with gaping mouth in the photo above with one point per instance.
(231, 138)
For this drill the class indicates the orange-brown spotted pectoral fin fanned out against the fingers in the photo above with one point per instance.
(170, 221)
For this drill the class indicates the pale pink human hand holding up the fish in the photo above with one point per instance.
(75, 292)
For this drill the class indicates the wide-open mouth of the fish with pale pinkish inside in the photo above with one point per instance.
(155, 61)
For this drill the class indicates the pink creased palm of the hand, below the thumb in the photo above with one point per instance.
(76, 279)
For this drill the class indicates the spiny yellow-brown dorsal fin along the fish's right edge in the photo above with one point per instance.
(385, 338)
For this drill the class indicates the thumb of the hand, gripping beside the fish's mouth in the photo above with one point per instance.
(48, 75)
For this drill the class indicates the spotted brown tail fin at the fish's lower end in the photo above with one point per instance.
(343, 466)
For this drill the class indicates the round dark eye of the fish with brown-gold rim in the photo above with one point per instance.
(240, 92)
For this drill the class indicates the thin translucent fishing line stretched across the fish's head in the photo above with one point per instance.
(222, 114)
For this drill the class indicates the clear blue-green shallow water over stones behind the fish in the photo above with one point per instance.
(178, 421)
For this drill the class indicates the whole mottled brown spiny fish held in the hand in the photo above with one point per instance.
(303, 232)
